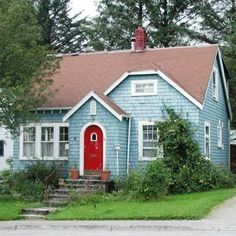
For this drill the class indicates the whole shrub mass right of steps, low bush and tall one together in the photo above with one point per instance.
(182, 170)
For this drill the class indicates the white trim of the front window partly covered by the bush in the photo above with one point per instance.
(140, 141)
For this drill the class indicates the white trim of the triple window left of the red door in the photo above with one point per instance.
(56, 142)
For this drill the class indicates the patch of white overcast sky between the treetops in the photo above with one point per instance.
(87, 6)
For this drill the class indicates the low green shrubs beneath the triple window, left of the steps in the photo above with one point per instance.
(29, 183)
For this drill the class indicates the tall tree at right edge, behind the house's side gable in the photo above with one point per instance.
(218, 25)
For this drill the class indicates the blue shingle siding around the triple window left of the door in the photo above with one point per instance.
(44, 117)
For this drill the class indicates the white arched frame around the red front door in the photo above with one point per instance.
(82, 132)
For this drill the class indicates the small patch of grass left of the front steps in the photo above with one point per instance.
(10, 209)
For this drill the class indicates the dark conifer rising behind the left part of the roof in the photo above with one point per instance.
(60, 31)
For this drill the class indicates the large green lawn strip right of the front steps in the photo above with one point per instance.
(184, 206)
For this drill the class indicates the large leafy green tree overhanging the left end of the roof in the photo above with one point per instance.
(24, 64)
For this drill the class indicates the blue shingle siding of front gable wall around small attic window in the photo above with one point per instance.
(150, 108)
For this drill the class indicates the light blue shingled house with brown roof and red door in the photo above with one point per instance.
(104, 112)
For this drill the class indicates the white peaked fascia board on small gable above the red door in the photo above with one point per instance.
(85, 99)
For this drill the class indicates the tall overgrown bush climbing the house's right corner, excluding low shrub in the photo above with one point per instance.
(190, 171)
